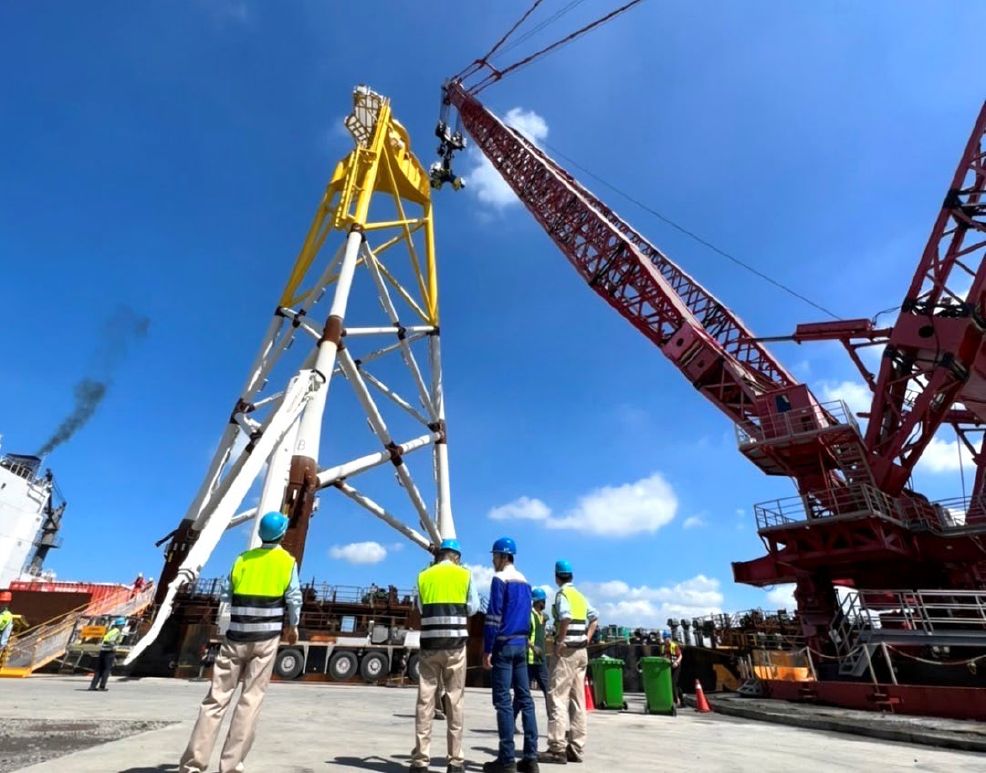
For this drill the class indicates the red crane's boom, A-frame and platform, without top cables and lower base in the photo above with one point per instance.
(853, 521)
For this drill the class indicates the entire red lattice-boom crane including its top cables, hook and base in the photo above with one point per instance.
(918, 567)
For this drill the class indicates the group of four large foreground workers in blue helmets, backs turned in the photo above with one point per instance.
(265, 600)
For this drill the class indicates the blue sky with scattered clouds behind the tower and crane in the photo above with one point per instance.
(169, 157)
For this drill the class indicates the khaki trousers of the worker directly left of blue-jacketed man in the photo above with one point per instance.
(439, 670)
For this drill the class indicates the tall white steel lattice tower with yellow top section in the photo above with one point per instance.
(370, 245)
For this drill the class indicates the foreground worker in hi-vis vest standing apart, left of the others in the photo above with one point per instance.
(261, 588)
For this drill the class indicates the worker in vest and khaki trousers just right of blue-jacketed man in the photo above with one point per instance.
(575, 623)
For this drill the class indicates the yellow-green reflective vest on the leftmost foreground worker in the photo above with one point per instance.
(259, 580)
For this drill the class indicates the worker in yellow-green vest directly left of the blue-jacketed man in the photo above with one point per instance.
(446, 599)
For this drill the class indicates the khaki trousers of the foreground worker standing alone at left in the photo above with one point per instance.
(250, 663)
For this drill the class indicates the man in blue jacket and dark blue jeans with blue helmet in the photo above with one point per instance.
(505, 639)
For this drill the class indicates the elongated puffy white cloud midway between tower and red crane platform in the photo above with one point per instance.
(621, 511)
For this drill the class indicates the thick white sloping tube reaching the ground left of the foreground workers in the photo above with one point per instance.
(229, 496)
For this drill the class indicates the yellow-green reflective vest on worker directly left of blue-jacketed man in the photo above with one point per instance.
(443, 590)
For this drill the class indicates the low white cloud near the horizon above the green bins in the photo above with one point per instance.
(648, 607)
